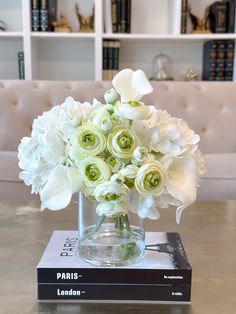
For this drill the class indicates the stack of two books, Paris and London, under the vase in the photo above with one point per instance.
(163, 275)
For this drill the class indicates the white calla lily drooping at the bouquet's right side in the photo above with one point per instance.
(181, 182)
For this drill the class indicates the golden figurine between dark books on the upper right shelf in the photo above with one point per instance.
(200, 25)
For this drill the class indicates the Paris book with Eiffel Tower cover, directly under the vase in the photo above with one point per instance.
(164, 262)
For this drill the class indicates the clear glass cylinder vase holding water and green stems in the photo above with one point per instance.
(109, 241)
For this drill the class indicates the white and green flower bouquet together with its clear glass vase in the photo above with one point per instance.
(124, 158)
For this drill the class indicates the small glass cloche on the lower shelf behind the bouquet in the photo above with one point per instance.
(161, 68)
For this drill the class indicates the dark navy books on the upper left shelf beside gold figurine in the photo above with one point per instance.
(43, 14)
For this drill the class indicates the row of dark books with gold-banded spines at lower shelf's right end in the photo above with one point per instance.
(218, 60)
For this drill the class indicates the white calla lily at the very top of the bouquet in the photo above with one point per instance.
(131, 85)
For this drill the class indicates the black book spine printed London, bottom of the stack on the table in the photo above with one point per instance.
(115, 292)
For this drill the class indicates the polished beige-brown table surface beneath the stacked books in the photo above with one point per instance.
(208, 231)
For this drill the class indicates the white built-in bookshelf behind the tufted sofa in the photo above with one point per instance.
(155, 27)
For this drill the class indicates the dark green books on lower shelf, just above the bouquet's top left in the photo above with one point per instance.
(111, 49)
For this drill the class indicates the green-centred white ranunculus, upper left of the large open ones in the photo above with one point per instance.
(90, 140)
